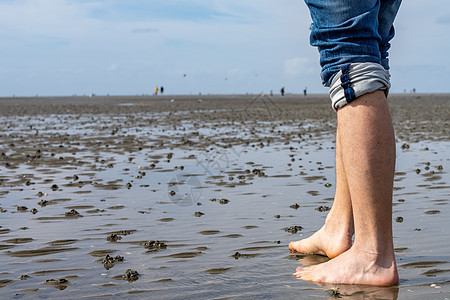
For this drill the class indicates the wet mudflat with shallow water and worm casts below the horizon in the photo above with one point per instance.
(198, 196)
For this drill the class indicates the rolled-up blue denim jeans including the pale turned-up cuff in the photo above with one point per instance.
(353, 37)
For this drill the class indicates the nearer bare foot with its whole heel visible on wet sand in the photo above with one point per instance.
(354, 267)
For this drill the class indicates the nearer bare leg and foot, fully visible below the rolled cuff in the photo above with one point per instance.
(368, 153)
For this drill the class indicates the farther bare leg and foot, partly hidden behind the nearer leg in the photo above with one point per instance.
(335, 237)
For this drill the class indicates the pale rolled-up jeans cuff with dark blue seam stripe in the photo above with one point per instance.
(357, 79)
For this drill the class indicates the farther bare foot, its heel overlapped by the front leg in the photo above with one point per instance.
(329, 242)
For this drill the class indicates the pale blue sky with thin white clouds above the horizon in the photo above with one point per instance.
(116, 47)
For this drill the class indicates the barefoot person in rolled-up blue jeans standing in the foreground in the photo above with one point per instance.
(353, 38)
